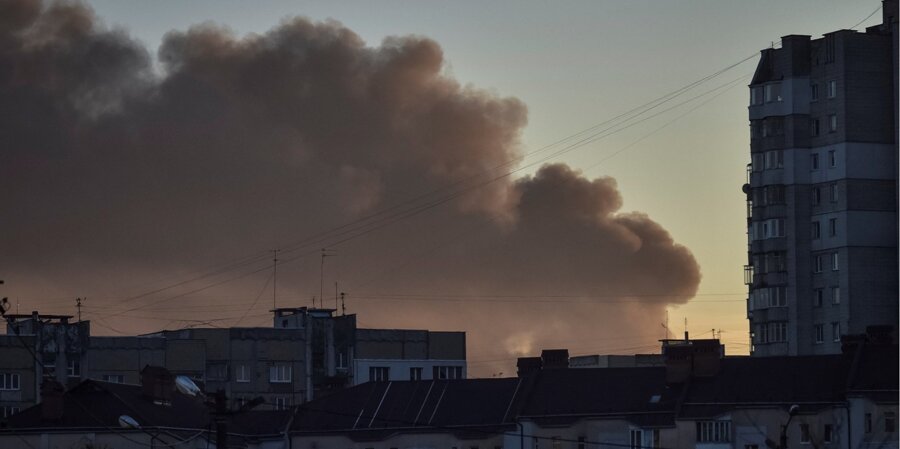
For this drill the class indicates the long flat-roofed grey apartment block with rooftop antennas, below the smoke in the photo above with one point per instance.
(306, 354)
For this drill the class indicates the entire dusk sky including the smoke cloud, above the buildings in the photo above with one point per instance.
(157, 152)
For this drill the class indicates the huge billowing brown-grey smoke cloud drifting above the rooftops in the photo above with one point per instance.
(116, 179)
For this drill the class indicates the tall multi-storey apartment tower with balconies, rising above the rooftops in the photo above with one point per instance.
(822, 190)
